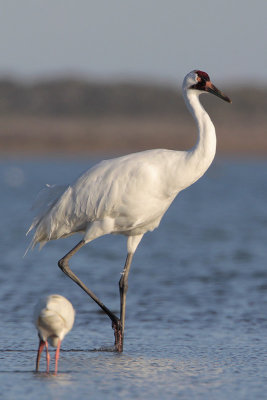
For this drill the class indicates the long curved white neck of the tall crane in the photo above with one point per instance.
(201, 155)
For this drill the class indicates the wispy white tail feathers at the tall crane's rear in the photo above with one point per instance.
(45, 201)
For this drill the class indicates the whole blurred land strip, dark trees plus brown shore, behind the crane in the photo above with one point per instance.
(71, 115)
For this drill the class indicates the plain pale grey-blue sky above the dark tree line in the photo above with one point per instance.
(155, 40)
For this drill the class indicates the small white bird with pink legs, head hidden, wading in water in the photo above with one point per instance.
(53, 317)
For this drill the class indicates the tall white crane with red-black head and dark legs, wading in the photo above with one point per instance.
(127, 195)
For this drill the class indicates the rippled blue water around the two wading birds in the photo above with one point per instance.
(196, 323)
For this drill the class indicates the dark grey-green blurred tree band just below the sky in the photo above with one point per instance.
(69, 97)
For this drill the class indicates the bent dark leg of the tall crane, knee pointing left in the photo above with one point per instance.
(116, 323)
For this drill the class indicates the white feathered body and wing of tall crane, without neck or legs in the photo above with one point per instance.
(133, 191)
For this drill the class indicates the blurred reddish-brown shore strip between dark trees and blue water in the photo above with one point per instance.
(82, 136)
